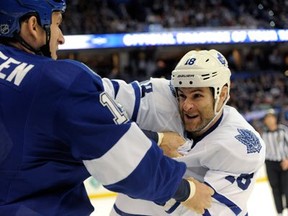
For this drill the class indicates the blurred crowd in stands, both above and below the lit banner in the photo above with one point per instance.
(259, 71)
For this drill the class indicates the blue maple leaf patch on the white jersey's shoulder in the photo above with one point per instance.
(249, 139)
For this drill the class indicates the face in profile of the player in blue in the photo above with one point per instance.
(56, 34)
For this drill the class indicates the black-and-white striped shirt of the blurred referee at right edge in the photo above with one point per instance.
(276, 143)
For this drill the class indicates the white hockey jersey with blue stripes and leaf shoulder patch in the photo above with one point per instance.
(227, 157)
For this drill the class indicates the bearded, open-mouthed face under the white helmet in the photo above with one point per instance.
(196, 108)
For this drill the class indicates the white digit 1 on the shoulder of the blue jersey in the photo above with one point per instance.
(119, 116)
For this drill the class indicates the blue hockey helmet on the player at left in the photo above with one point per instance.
(11, 12)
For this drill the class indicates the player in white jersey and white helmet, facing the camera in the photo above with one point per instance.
(223, 149)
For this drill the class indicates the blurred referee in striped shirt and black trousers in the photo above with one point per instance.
(276, 139)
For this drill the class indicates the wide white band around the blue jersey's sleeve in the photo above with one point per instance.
(115, 160)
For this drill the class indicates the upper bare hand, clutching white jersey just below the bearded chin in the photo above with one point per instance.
(169, 142)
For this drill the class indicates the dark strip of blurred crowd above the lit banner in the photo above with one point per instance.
(114, 16)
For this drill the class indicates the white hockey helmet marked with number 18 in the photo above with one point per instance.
(204, 68)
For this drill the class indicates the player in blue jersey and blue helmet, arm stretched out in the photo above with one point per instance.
(58, 126)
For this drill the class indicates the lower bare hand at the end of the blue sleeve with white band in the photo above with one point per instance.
(200, 196)
